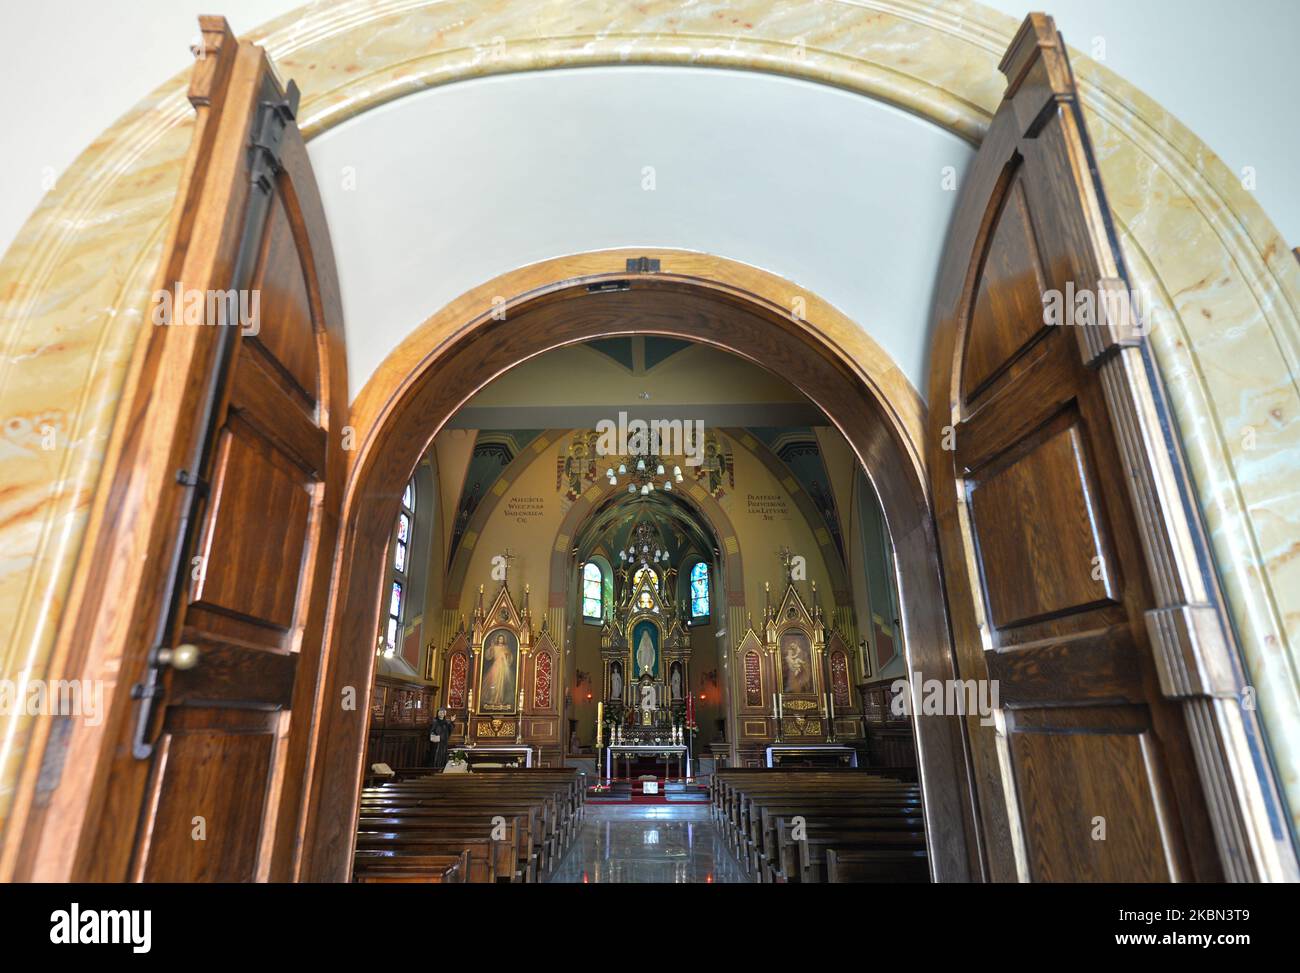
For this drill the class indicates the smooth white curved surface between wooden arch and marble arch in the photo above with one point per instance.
(460, 184)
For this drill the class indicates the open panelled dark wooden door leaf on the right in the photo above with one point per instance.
(1091, 775)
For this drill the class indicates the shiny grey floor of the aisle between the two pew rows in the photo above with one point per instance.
(648, 844)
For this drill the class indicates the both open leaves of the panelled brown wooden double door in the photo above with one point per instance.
(207, 775)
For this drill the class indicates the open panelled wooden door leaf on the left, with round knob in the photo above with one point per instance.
(211, 768)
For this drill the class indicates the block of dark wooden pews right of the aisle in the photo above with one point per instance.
(804, 825)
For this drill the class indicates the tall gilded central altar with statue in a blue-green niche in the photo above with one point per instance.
(645, 715)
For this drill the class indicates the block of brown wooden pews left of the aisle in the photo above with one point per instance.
(487, 827)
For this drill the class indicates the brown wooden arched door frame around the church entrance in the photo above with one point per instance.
(548, 308)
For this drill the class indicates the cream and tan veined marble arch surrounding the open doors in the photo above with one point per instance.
(1227, 288)
